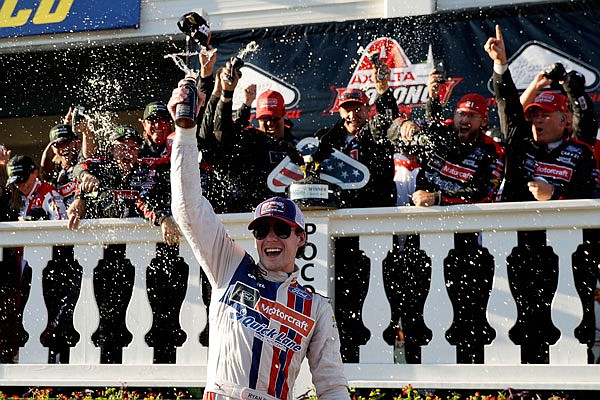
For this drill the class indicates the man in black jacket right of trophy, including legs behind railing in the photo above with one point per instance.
(364, 138)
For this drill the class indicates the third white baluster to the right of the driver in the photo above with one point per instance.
(502, 309)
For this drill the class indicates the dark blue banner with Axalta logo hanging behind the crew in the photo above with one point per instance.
(311, 64)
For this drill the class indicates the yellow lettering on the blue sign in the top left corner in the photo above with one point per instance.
(11, 16)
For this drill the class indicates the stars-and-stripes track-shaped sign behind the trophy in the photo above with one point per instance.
(338, 168)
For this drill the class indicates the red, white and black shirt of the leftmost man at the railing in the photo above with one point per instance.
(43, 202)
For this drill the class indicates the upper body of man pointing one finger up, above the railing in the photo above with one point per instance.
(544, 162)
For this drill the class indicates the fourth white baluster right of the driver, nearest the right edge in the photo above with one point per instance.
(567, 310)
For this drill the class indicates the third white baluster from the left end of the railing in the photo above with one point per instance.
(139, 312)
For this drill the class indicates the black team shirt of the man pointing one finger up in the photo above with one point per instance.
(569, 164)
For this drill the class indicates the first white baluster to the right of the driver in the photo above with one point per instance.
(376, 308)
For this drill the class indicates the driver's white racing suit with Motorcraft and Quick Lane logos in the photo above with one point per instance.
(262, 323)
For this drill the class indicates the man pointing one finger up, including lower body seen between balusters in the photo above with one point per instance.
(544, 163)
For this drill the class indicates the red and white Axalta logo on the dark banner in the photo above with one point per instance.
(408, 80)
